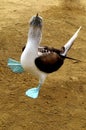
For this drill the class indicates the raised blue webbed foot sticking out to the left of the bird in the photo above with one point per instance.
(15, 66)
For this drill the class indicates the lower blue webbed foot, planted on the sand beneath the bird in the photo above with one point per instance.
(33, 92)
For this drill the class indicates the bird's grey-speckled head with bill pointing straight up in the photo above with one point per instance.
(36, 21)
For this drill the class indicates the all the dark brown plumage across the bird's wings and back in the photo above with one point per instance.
(49, 59)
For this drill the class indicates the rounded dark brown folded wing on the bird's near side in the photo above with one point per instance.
(49, 62)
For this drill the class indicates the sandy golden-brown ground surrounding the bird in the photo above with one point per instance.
(62, 101)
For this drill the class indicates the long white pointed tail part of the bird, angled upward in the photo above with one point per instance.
(68, 45)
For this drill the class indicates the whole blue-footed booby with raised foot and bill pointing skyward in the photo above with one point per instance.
(38, 60)
